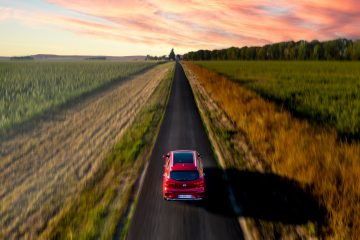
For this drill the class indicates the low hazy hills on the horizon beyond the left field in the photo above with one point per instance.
(53, 57)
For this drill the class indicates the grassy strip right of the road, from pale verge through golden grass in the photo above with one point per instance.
(259, 139)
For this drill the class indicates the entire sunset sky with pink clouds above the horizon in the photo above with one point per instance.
(141, 27)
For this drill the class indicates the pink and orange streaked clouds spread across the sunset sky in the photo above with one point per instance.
(193, 24)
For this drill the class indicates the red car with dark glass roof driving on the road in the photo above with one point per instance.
(183, 176)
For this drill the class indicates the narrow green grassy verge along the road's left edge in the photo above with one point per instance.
(96, 212)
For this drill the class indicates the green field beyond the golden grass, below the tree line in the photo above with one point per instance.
(327, 93)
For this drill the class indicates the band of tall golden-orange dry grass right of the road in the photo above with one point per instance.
(294, 149)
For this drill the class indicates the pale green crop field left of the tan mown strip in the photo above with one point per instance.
(31, 88)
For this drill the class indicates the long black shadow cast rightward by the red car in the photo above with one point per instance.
(263, 196)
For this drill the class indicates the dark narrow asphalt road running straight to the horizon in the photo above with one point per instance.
(156, 218)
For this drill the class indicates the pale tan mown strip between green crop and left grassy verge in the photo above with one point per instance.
(43, 167)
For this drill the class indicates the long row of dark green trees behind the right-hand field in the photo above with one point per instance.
(339, 49)
